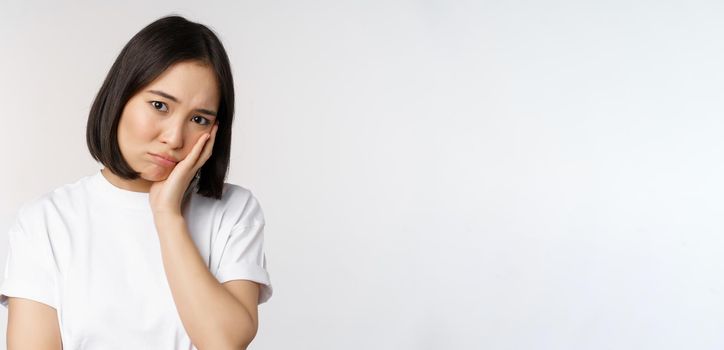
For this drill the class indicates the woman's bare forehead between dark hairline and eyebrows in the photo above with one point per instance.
(192, 83)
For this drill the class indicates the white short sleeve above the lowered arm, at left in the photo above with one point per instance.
(29, 272)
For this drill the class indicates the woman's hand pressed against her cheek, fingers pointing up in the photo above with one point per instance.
(165, 196)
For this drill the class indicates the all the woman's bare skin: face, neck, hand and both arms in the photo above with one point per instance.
(216, 316)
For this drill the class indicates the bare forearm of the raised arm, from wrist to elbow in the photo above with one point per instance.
(213, 317)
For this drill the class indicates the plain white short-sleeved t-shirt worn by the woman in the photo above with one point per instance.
(91, 250)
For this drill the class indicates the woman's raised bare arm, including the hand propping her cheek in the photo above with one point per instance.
(215, 316)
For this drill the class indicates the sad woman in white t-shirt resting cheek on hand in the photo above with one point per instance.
(155, 250)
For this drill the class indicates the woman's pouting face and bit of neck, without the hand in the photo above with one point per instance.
(166, 118)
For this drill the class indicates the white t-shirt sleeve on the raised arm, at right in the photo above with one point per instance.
(243, 256)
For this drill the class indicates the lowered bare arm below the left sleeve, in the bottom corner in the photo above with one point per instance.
(32, 325)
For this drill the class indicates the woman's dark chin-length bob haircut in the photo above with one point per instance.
(146, 56)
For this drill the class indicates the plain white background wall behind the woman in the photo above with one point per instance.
(435, 174)
